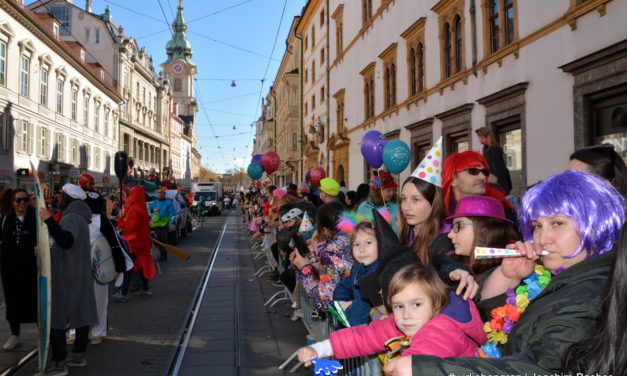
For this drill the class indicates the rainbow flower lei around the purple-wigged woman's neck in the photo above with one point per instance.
(505, 317)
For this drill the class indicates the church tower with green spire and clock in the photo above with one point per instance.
(181, 72)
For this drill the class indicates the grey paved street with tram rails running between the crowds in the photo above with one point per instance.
(234, 333)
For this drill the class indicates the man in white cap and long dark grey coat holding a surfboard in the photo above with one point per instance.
(73, 302)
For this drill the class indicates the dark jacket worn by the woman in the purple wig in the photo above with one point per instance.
(561, 315)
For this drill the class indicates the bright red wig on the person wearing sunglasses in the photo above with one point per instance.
(458, 162)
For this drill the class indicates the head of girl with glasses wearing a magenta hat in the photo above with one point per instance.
(479, 221)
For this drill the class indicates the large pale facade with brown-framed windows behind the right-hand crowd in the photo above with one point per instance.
(546, 78)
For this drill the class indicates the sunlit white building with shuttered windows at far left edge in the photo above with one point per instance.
(57, 109)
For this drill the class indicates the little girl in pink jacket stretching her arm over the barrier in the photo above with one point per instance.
(426, 315)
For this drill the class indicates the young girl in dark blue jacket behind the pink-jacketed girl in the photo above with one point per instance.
(365, 253)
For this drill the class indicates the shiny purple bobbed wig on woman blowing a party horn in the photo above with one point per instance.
(595, 207)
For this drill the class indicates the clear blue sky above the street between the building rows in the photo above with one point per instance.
(232, 40)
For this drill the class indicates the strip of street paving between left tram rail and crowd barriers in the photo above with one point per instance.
(234, 333)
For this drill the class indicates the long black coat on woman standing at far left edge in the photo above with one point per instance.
(18, 266)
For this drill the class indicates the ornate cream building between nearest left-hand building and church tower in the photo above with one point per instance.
(144, 117)
